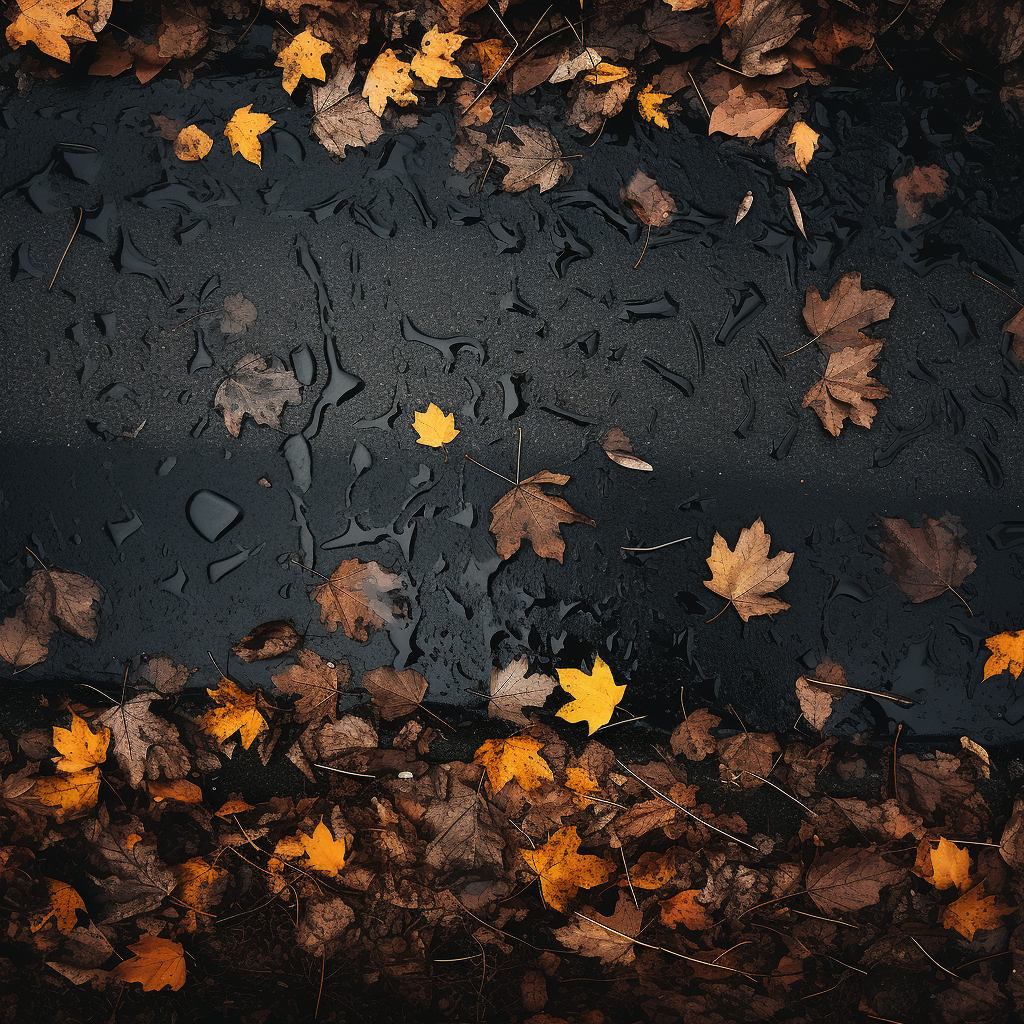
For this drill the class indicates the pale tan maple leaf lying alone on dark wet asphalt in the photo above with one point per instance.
(745, 577)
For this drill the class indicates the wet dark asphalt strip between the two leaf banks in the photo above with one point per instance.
(116, 464)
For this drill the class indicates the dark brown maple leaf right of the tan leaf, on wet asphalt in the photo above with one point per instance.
(928, 561)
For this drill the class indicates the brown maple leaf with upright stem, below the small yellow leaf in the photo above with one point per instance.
(528, 513)
